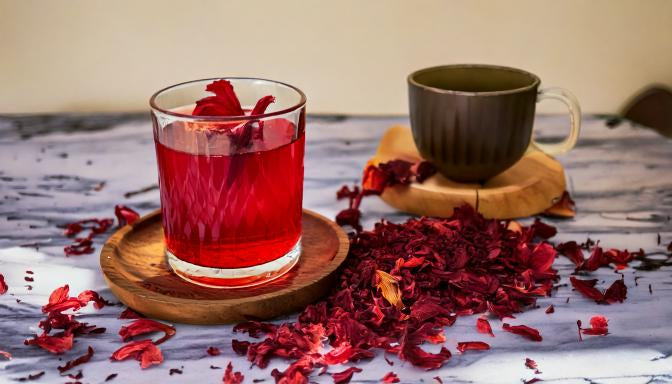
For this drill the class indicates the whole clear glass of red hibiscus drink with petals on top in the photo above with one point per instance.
(230, 159)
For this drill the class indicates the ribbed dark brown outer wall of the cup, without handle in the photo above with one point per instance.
(471, 137)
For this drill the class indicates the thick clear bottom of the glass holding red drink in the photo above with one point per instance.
(235, 277)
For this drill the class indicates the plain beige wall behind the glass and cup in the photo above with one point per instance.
(349, 56)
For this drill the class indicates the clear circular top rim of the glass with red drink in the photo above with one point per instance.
(155, 107)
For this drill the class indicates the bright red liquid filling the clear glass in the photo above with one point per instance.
(234, 211)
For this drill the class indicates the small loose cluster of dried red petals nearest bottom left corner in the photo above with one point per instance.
(59, 302)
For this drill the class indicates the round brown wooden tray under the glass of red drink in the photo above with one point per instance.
(135, 268)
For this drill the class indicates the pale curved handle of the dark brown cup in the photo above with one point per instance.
(572, 104)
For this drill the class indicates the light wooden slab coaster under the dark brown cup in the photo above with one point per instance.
(527, 188)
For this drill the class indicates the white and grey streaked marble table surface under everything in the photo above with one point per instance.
(56, 169)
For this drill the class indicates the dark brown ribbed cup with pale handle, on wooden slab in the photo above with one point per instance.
(475, 121)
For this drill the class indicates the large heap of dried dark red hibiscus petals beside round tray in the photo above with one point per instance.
(402, 283)
